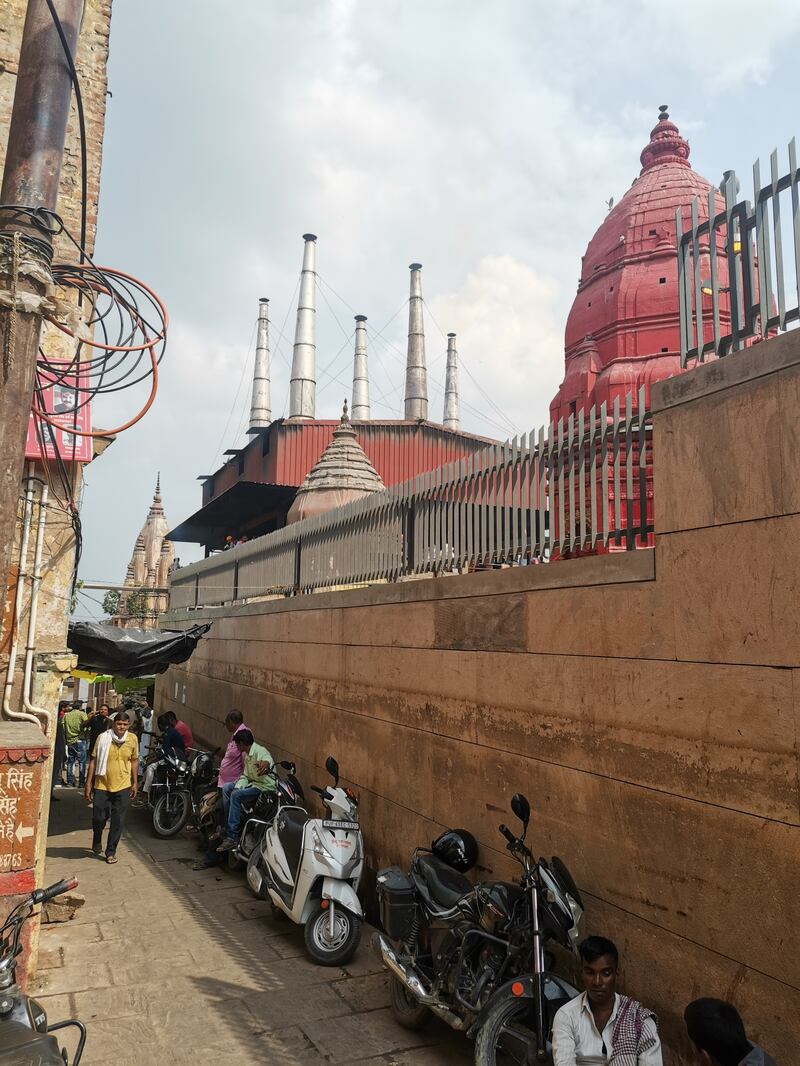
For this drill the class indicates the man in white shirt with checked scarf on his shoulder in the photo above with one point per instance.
(601, 1027)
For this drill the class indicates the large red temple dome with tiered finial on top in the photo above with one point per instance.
(623, 330)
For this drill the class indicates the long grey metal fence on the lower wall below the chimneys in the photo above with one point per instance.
(584, 484)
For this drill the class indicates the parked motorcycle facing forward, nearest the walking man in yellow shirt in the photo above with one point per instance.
(181, 790)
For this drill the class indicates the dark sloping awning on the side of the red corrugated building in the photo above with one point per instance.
(248, 507)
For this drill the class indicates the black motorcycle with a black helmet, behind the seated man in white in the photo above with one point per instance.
(474, 955)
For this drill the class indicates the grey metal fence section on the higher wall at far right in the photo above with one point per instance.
(735, 268)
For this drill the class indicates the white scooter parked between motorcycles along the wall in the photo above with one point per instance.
(310, 868)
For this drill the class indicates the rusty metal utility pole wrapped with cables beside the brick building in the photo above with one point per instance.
(31, 180)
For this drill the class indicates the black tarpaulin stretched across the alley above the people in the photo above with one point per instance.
(132, 653)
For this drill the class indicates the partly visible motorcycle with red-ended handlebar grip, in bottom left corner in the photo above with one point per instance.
(26, 1037)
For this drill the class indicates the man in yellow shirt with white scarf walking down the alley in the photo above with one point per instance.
(113, 782)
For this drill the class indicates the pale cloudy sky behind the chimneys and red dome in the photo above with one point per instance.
(481, 139)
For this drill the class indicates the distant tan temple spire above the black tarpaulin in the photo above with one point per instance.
(142, 600)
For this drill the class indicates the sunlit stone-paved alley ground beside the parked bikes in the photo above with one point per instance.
(164, 964)
